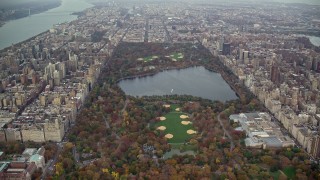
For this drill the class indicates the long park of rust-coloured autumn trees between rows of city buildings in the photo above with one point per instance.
(124, 136)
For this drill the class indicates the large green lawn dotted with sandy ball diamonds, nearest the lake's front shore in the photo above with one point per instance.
(173, 126)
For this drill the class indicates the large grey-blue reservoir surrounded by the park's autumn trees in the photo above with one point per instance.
(195, 81)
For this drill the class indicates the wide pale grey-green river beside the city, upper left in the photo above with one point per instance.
(19, 30)
